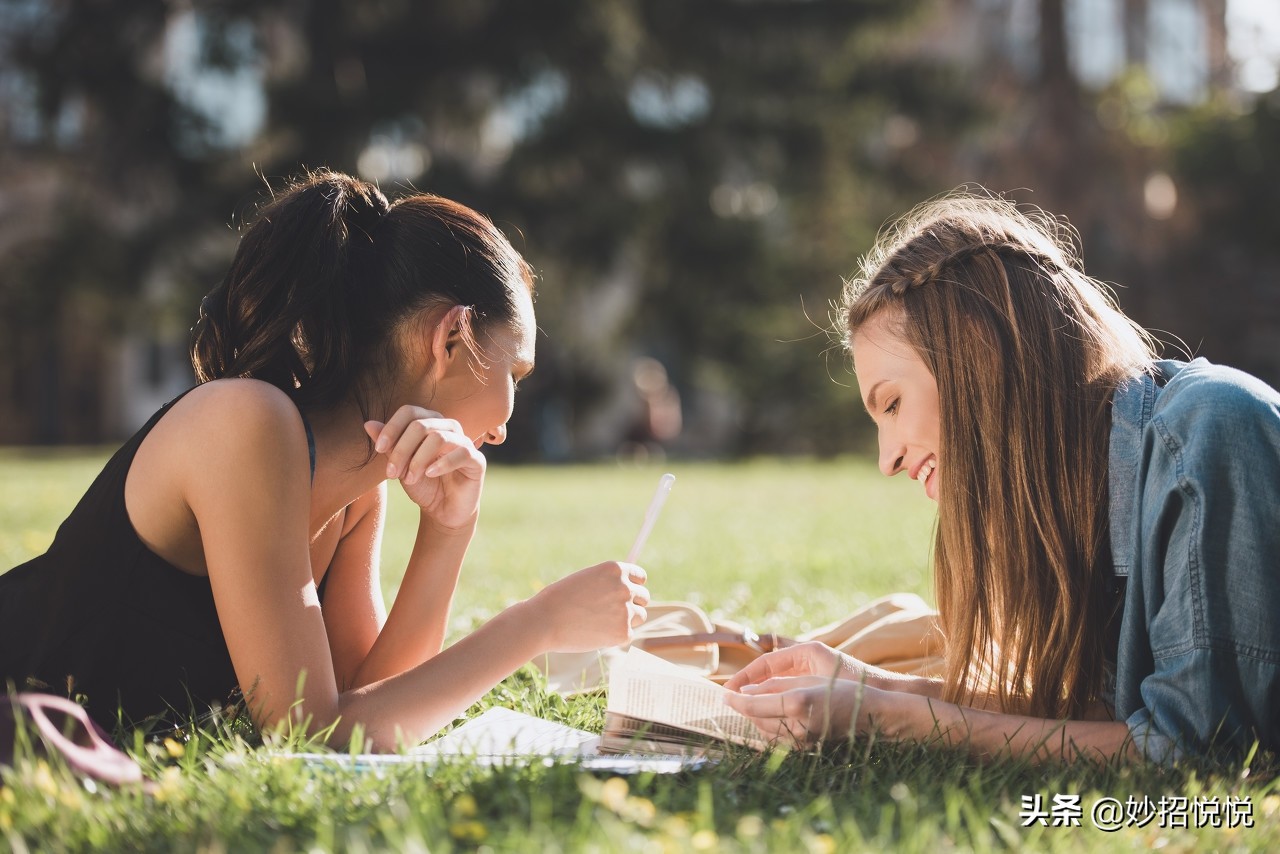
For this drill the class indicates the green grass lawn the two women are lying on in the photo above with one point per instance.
(781, 545)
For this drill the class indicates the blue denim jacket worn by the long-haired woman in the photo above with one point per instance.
(1195, 488)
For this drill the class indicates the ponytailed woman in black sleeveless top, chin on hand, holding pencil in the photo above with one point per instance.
(235, 540)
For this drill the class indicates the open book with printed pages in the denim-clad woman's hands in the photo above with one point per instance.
(659, 707)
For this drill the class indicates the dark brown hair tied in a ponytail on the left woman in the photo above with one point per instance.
(330, 271)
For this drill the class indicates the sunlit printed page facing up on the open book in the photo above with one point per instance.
(648, 688)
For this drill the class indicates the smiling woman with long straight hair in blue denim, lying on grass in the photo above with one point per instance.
(1108, 554)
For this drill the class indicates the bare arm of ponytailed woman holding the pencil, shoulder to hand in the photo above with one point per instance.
(250, 496)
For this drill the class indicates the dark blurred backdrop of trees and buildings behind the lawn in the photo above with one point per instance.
(689, 180)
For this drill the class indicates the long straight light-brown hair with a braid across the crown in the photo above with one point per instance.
(1027, 351)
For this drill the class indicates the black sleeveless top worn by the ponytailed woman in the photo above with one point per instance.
(102, 616)
